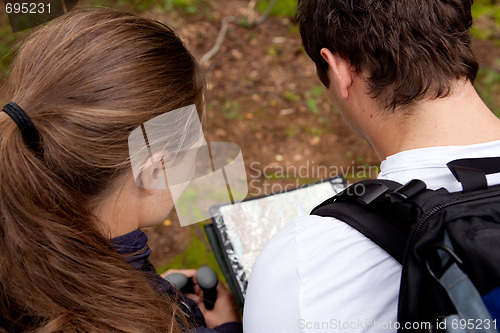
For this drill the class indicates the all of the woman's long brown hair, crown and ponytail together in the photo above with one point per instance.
(86, 80)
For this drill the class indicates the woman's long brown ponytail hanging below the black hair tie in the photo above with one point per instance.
(56, 267)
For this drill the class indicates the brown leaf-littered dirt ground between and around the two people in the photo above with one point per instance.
(264, 95)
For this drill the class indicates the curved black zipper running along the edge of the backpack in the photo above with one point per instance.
(413, 236)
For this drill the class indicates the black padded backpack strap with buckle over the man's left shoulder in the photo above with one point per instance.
(356, 207)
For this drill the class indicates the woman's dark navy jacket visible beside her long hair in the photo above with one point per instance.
(134, 247)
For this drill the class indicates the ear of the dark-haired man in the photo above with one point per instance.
(341, 71)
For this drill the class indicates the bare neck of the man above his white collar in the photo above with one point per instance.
(459, 119)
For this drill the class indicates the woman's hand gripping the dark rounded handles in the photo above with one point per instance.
(225, 309)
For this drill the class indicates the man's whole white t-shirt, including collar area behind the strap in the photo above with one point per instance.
(319, 274)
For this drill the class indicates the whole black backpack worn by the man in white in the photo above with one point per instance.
(448, 244)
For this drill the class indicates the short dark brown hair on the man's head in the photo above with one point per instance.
(410, 49)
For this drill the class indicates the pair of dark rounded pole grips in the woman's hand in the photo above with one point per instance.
(206, 279)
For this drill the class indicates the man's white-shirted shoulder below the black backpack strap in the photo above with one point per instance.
(314, 256)
